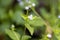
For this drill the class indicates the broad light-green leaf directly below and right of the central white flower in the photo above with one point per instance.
(36, 22)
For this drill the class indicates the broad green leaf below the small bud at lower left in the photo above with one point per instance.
(12, 34)
